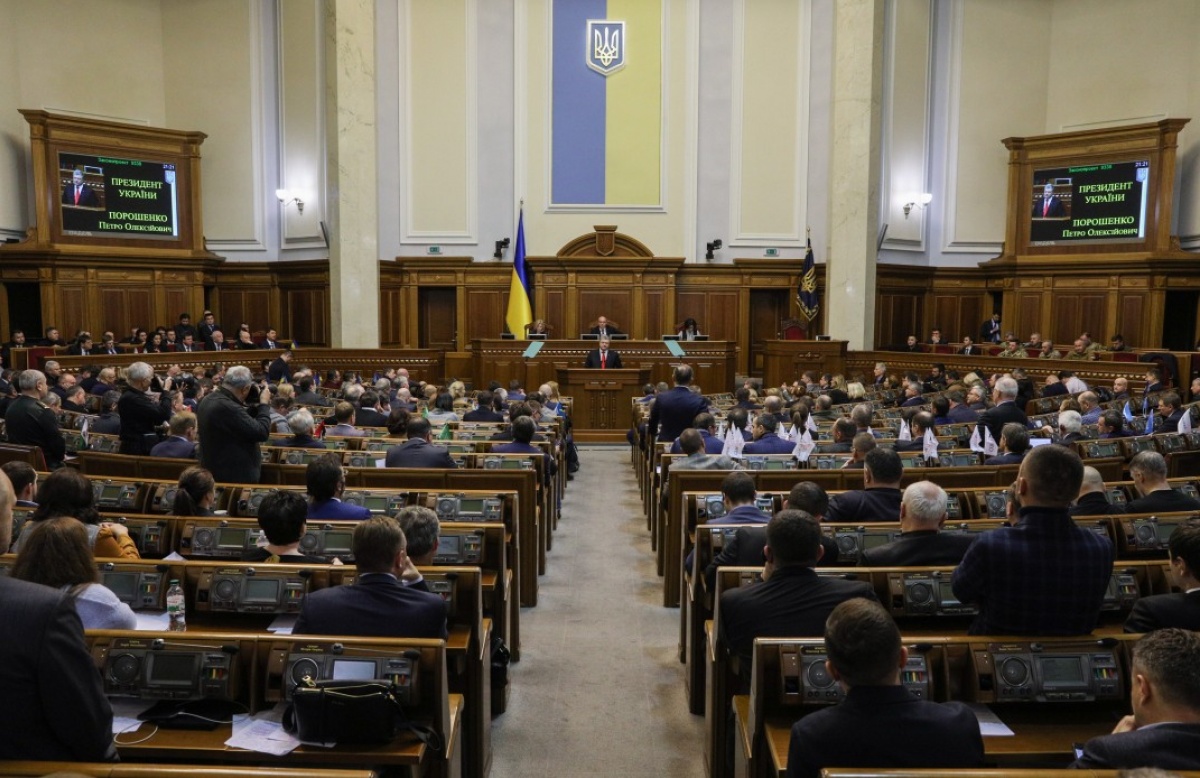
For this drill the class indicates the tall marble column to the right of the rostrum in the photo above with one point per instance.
(855, 171)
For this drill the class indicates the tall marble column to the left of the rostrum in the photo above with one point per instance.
(353, 211)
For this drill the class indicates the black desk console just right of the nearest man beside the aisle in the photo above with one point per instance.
(1045, 673)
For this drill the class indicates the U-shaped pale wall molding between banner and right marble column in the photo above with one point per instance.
(742, 238)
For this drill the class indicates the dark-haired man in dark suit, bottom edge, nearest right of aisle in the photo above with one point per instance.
(879, 723)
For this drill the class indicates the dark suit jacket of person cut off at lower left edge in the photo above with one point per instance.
(55, 701)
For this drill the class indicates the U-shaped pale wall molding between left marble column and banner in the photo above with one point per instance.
(471, 235)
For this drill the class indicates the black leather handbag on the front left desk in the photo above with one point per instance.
(352, 713)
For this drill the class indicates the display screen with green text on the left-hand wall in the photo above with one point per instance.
(113, 198)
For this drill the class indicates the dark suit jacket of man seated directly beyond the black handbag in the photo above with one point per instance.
(377, 606)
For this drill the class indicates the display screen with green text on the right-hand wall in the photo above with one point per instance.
(1101, 204)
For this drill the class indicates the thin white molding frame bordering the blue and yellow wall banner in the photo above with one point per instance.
(664, 111)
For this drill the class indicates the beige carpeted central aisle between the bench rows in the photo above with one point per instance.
(599, 687)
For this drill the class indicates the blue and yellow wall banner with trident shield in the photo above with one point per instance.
(607, 146)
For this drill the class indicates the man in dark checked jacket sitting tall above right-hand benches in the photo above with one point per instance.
(1046, 576)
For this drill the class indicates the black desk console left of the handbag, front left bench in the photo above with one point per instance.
(158, 669)
